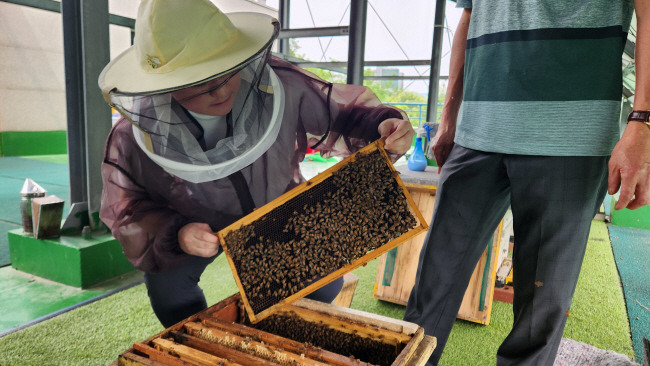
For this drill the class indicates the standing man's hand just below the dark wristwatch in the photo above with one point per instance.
(629, 167)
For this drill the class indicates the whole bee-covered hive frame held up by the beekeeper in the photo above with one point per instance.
(339, 220)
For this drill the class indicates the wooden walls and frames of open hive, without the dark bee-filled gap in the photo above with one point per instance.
(215, 336)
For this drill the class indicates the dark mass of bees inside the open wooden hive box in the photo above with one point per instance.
(368, 350)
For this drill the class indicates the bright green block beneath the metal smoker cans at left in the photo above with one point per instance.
(70, 260)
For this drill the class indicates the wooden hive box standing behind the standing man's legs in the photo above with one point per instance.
(396, 270)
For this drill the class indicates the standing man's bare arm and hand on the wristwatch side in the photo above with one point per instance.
(629, 166)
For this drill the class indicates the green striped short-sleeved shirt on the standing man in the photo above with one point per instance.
(543, 77)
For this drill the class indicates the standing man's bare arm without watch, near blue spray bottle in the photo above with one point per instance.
(444, 139)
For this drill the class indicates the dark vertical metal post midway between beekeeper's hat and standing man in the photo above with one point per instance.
(357, 42)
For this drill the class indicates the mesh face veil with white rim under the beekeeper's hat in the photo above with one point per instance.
(169, 134)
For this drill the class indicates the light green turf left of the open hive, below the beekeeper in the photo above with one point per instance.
(97, 333)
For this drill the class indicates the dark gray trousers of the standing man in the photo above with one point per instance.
(553, 201)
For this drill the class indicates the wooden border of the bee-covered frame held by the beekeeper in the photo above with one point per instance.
(269, 208)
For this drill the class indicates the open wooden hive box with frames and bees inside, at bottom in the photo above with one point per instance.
(304, 333)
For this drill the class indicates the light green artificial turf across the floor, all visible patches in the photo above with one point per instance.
(97, 333)
